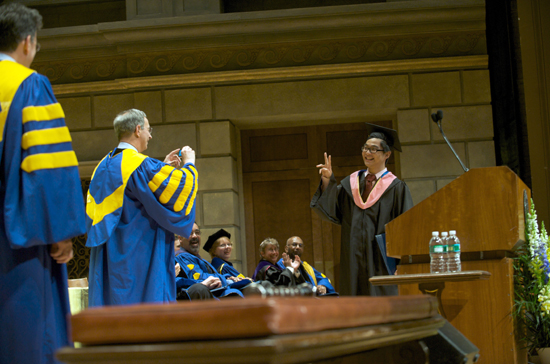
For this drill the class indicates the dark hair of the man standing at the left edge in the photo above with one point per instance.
(16, 23)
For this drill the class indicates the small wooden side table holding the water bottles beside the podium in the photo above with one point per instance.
(431, 283)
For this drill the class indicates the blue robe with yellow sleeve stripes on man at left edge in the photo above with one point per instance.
(41, 204)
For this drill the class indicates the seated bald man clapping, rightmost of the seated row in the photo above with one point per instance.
(295, 248)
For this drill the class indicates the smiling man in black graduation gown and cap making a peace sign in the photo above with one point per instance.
(363, 203)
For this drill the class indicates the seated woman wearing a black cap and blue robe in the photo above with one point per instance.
(219, 247)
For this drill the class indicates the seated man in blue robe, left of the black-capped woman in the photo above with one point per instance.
(194, 269)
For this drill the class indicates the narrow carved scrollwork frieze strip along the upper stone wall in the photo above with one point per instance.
(261, 56)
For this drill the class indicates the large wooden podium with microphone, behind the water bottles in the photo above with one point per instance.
(486, 207)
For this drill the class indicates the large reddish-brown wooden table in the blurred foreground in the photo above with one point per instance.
(274, 330)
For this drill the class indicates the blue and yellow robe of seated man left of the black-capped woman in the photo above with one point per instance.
(195, 270)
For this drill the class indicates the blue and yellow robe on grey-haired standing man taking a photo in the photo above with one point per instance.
(135, 204)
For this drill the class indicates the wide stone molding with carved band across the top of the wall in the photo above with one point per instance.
(259, 40)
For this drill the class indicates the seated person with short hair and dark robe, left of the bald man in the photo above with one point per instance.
(268, 270)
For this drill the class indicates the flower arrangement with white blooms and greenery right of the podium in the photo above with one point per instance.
(532, 286)
